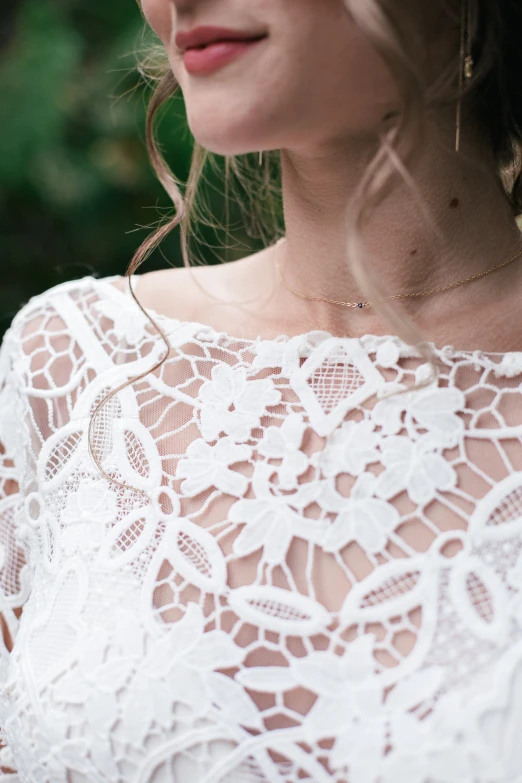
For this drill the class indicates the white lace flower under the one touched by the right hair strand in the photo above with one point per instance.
(414, 467)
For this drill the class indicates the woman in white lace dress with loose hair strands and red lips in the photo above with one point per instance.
(289, 547)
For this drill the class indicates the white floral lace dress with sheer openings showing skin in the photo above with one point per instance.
(308, 582)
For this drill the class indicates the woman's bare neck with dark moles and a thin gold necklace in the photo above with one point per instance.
(469, 209)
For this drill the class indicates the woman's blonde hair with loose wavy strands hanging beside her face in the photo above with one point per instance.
(493, 96)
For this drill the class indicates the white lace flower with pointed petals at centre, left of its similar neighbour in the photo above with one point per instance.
(269, 522)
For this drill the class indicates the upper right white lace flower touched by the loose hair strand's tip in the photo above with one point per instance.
(434, 409)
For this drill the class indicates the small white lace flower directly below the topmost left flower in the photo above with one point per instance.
(207, 466)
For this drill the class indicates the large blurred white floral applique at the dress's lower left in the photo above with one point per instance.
(155, 674)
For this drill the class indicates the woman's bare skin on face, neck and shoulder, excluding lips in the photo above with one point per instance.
(317, 90)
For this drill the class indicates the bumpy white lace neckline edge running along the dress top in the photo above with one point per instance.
(371, 342)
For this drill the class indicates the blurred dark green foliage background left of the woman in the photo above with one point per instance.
(77, 193)
